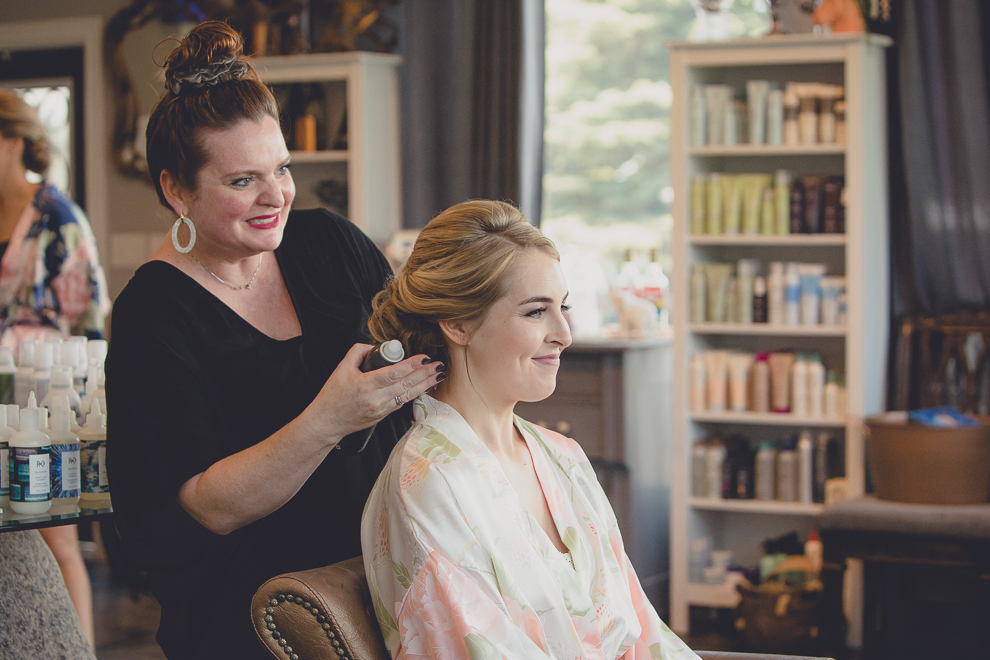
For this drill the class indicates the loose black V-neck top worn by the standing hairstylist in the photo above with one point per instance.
(190, 382)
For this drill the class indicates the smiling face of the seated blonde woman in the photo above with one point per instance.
(514, 351)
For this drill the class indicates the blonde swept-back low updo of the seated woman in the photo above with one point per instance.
(460, 266)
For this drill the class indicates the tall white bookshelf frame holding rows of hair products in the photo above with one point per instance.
(859, 348)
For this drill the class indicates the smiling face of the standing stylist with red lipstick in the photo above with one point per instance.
(244, 191)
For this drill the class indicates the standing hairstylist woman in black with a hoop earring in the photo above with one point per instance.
(233, 371)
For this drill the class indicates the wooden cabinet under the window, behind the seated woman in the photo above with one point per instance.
(613, 397)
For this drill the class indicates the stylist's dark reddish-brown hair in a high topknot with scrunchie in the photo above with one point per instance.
(209, 85)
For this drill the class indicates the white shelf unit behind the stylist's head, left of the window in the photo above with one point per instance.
(365, 86)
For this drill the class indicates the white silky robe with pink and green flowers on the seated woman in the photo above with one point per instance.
(459, 568)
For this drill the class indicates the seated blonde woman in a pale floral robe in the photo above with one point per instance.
(485, 536)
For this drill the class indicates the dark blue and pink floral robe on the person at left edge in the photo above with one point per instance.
(51, 282)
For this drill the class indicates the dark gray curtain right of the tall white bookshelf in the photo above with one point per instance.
(941, 229)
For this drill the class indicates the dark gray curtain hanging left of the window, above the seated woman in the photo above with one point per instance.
(462, 103)
